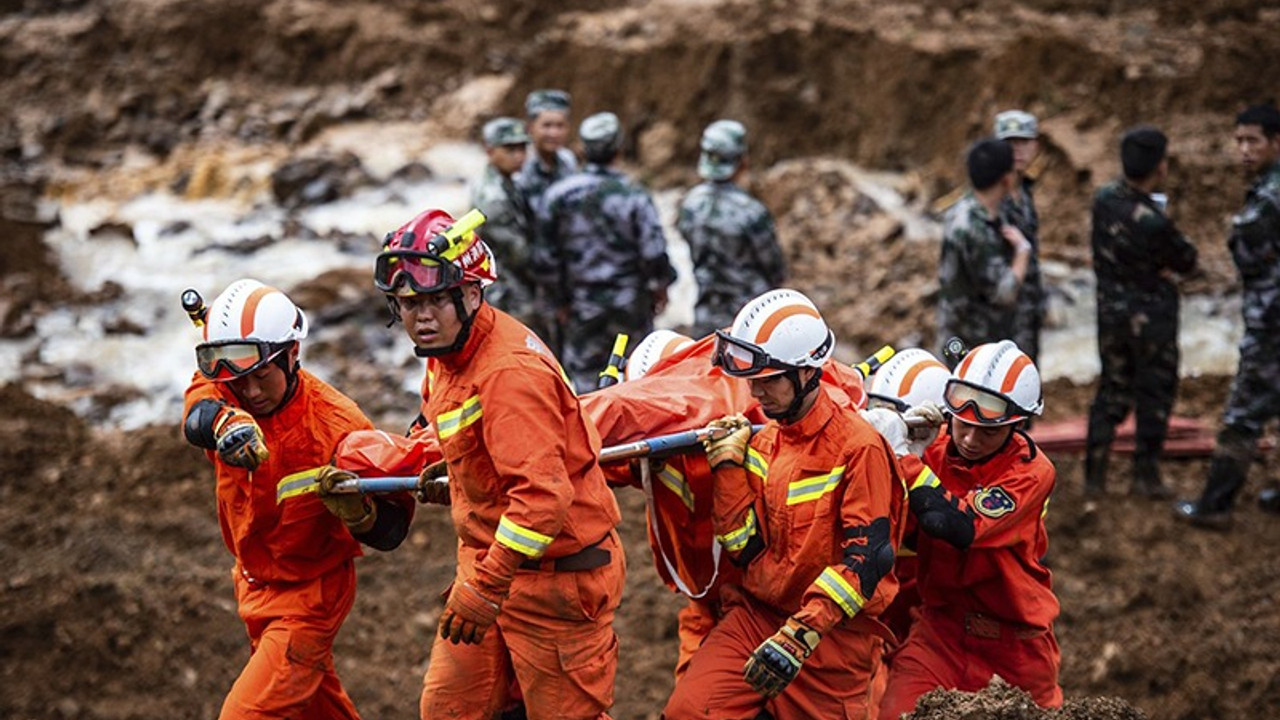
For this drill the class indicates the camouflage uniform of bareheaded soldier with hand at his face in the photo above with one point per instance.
(977, 289)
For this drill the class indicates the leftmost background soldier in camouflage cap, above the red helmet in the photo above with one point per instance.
(510, 221)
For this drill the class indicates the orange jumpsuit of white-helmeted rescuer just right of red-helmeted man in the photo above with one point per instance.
(816, 514)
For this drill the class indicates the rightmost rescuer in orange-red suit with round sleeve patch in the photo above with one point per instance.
(980, 499)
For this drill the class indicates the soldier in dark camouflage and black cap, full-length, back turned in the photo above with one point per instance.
(1136, 250)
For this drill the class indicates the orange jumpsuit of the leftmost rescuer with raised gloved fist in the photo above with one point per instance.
(295, 578)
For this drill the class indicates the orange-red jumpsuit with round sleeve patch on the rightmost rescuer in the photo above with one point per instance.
(990, 609)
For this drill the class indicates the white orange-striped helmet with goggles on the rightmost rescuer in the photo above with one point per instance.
(995, 385)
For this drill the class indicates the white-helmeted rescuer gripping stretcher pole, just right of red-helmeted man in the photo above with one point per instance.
(812, 509)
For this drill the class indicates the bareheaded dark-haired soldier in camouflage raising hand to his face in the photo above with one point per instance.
(985, 259)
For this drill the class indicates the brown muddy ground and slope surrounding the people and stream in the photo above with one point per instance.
(117, 601)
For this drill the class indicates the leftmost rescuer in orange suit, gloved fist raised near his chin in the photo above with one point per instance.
(268, 426)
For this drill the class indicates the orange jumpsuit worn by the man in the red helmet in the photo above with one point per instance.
(532, 509)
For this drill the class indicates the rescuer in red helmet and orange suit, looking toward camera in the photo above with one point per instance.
(541, 568)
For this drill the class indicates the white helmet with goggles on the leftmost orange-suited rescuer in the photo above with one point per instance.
(248, 326)
